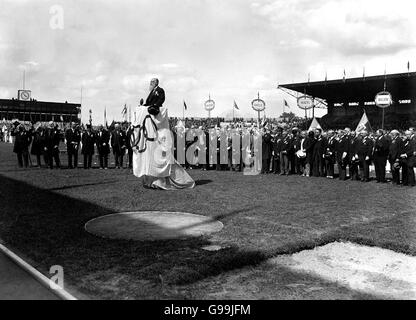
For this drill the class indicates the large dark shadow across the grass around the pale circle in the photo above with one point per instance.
(48, 228)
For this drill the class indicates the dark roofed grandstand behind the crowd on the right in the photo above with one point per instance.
(347, 99)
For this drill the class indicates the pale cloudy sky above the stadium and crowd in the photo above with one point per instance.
(229, 49)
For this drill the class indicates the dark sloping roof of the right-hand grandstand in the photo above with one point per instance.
(401, 86)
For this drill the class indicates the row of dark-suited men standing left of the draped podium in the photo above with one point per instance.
(45, 141)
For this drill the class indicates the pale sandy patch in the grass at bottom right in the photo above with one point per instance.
(380, 272)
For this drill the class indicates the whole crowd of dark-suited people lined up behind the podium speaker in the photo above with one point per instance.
(285, 149)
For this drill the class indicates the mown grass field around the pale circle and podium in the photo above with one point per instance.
(43, 213)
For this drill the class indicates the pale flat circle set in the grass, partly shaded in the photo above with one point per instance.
(152, 225)
